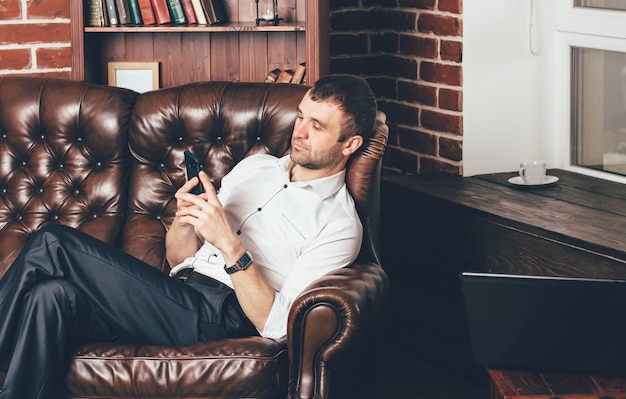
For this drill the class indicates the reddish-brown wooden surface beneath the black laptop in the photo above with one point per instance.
(516, 384)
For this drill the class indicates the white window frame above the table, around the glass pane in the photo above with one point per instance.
(582, 27)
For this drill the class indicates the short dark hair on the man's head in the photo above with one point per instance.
(354, 97)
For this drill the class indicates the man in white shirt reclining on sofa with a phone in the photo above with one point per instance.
(242, 255)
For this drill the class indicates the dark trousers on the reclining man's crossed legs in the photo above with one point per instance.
(67, 288)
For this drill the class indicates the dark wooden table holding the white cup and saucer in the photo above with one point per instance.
(437, 226)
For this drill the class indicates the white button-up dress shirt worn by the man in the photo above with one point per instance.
(295, 231)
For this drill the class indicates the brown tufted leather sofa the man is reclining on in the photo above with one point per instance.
(107, 161)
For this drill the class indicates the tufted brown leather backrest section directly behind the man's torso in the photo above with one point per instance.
(221, 123)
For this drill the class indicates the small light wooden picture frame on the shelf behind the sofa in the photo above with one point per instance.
(137, 76)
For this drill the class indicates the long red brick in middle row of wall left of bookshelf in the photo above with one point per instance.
(35, 33)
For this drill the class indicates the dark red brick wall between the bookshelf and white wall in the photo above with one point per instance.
(410, 51)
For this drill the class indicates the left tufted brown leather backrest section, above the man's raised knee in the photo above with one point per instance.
(63, 159)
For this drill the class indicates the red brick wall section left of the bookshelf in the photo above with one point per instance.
(35, 38)
